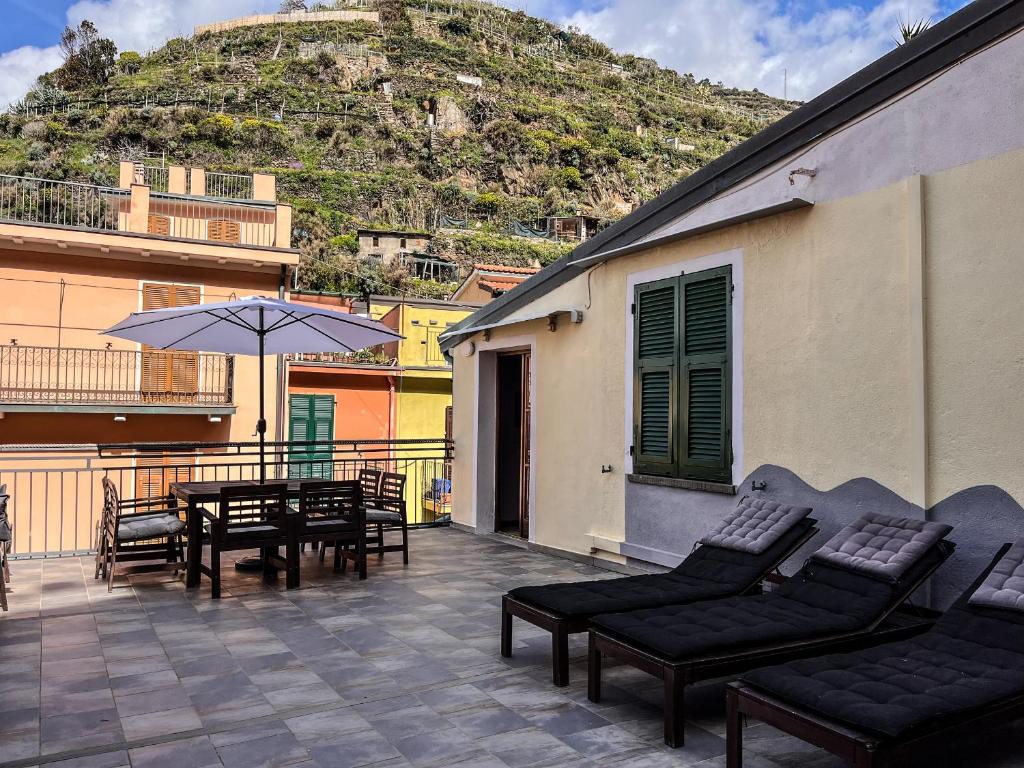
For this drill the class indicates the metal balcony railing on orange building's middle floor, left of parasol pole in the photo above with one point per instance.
(60, 375)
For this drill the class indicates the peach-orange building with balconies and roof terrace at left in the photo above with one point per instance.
(77, 259)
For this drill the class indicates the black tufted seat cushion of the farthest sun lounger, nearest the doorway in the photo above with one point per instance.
(708, 573)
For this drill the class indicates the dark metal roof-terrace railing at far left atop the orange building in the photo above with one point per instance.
(68, 204)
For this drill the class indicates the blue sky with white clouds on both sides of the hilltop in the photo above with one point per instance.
(797, 49)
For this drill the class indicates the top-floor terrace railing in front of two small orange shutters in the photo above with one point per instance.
(235, 224)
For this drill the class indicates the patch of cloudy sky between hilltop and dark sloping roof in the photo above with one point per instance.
(748, 44)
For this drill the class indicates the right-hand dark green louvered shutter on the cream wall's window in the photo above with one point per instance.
(705, 450)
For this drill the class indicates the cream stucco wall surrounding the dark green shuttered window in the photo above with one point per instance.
(831, 355)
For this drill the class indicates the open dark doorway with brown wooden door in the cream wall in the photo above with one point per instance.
(513, 445)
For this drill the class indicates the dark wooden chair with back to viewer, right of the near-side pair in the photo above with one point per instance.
(332, 513)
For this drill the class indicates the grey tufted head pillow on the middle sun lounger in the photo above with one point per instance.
(882, 546)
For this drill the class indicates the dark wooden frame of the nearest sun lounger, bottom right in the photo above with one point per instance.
(860, 748)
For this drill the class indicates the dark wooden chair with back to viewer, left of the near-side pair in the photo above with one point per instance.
(253, 518)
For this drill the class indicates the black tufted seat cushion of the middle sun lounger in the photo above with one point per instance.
(820, 602)
